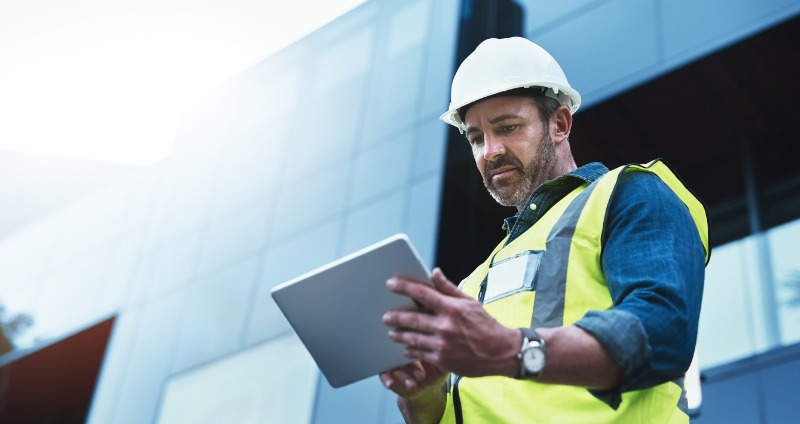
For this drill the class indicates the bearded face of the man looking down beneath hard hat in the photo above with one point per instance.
(512, 147)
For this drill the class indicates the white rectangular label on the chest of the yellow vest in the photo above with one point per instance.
(512, 275)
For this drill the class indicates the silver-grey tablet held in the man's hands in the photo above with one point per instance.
(337, 309)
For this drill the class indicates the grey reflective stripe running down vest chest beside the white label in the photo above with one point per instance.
(551, 285)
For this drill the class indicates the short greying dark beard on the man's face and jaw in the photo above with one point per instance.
(515, 191)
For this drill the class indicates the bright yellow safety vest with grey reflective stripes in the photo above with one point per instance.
(570, 283)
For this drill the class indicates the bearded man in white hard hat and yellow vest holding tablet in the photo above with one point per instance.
(587, 311)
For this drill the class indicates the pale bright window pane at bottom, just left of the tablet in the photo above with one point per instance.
(270, 383)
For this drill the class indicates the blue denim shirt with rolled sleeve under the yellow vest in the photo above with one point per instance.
(654, 265)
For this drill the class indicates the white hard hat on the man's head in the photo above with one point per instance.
(499, 65)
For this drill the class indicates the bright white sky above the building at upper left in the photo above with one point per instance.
(107, 80)
